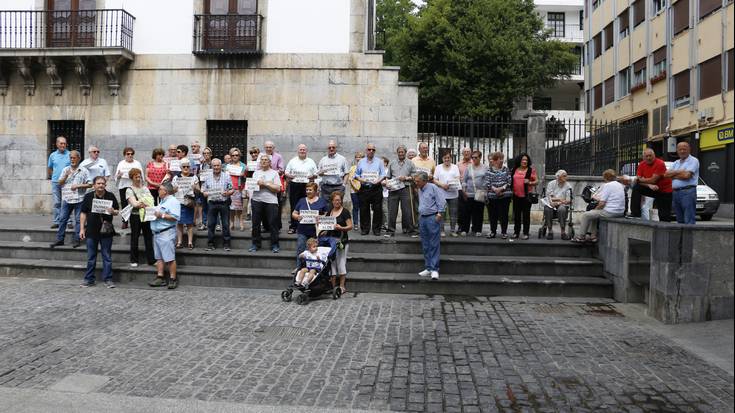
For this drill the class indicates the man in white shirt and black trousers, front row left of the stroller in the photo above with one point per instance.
(265, 204)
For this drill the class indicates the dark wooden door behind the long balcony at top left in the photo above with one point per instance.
(71, 23)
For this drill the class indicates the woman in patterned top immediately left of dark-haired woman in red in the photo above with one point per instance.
(497, 183)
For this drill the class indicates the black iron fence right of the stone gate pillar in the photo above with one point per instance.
(584, 148)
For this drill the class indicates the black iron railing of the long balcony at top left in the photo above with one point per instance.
(44, 29)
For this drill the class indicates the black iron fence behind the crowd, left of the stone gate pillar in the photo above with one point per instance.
(487, 135)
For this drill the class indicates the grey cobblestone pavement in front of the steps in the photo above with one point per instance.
(381, 352)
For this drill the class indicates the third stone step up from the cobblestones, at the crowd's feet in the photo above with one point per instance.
(400, 244)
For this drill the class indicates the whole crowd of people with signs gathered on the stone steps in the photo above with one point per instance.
(180, 189)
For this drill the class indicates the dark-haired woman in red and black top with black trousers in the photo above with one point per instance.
(524, 181)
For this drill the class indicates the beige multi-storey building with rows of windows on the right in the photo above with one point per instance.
(668, 63)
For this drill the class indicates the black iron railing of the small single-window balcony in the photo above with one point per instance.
(227, 33)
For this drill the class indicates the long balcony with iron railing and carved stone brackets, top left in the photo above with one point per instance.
(60, 39)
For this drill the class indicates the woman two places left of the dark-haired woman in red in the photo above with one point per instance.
(474, 194)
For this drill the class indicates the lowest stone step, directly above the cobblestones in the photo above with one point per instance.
(357, 282)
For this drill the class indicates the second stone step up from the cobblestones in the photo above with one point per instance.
(372, 262)
